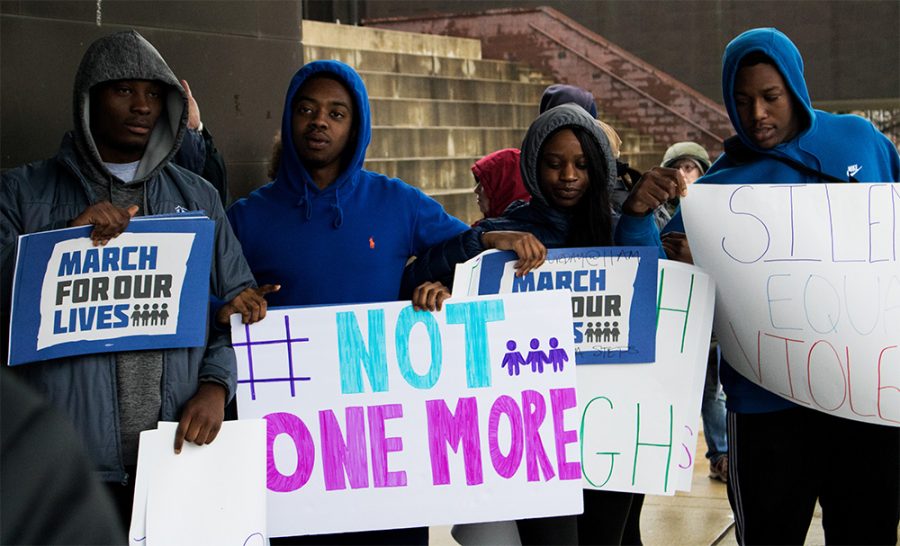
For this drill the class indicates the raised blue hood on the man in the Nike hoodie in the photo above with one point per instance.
(786, 57)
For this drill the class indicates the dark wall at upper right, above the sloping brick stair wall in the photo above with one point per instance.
(851, 47)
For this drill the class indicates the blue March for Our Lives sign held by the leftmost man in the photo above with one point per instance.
(146, 289)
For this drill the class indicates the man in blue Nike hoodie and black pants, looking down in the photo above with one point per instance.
(783, 457)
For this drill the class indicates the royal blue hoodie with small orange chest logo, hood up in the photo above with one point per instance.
(347, 243)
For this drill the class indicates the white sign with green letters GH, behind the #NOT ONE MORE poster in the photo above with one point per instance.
(639, 422)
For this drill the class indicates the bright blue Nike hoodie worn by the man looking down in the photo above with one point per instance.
(838, 145)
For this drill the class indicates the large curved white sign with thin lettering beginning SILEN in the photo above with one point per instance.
(808, 290)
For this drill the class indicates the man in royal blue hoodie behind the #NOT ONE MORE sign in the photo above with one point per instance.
(327, 230)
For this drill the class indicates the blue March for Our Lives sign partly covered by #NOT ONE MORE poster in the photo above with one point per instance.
(613, 296)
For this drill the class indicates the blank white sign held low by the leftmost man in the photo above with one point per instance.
(212, 494)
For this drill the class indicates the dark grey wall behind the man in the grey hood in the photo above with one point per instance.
(237, 56)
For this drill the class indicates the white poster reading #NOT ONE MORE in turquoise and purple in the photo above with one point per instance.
(382, 417)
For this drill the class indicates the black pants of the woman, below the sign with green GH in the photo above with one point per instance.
(609, 517)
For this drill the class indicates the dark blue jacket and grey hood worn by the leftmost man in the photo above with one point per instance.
(47, 194)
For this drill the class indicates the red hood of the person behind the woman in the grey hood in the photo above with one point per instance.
(498, 173)
